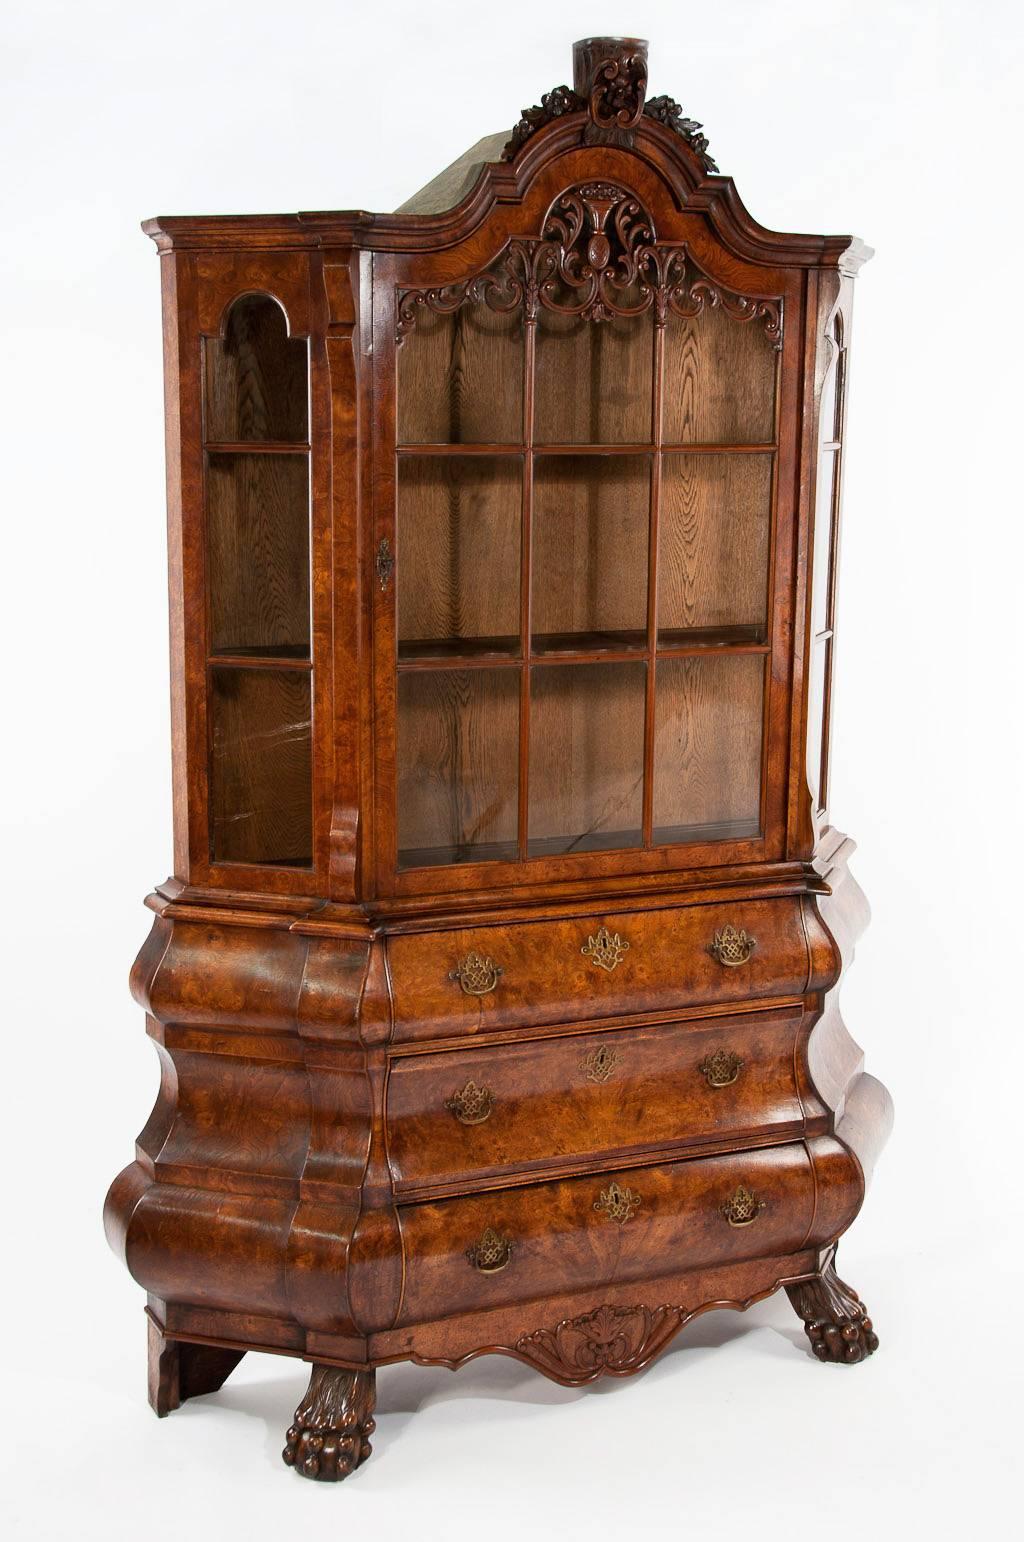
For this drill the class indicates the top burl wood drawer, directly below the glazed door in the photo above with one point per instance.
(485, 978)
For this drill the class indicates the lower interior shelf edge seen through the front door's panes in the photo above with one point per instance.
(578, 647)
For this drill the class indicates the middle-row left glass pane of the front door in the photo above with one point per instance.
(459, 542)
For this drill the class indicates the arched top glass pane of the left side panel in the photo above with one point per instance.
(257, 377)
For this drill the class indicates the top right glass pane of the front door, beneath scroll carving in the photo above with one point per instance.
(719, 380)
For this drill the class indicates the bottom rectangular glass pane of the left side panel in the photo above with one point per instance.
(261, 784)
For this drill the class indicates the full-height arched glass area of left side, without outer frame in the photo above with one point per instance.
(260, 676)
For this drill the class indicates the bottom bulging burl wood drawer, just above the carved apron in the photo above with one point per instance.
(491, 1250)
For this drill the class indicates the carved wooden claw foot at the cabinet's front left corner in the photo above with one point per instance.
(332, 1427)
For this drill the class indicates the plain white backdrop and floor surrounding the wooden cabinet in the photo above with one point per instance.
(895, 121)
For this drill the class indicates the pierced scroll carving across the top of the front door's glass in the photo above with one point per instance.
(598, 258)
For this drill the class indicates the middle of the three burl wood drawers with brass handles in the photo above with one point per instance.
(499, 1108)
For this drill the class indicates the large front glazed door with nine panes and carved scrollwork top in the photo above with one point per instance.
(579, 502)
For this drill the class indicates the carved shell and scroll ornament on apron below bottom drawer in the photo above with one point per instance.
(613, 1341)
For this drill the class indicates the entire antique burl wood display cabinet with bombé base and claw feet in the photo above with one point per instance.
(496, 986)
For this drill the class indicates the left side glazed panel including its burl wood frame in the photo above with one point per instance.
(248, 508)
